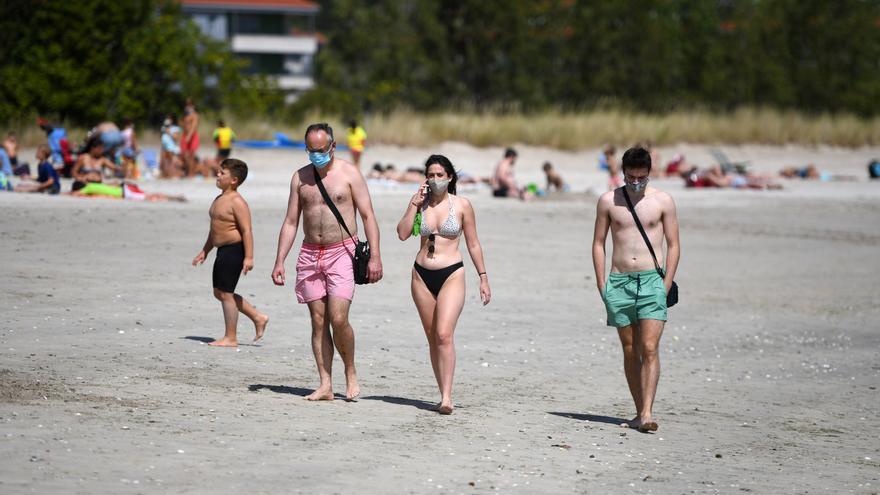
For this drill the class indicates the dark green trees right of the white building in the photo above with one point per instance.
(644, 55)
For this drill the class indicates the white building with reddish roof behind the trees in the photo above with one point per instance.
(277, 37)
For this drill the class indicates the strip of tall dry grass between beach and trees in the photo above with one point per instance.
(558, 129)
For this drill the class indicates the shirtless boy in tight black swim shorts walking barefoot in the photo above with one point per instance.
(231, 234)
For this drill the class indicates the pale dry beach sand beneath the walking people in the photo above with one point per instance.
(770, 361)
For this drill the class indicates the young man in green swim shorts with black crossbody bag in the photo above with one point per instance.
(634, 292)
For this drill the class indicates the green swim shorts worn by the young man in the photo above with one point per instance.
(634, 296)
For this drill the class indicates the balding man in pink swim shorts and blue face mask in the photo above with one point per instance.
(324, 272)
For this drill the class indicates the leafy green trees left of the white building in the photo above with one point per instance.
(93, 60)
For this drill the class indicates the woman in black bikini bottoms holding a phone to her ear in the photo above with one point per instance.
(438, 274)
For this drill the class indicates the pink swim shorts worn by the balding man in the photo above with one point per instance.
(325, 271)
